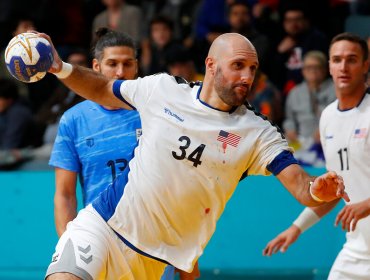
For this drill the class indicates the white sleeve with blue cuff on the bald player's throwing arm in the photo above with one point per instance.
(136, 93)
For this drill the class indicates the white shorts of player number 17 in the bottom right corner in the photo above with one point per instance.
(347, 267)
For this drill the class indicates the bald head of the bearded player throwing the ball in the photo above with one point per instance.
(231, 65)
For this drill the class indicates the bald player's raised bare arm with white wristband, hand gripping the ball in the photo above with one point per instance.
(84, 81)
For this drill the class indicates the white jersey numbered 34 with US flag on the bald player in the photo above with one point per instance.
(178, 185)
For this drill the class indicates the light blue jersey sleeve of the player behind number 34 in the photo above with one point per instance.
(64, 154)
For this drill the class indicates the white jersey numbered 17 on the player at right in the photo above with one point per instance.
(345, 139)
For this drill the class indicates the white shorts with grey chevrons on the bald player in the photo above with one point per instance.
(90, 249)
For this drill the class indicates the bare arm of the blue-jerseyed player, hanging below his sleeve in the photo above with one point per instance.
(65, 201)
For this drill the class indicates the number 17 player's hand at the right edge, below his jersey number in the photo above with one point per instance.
(351, 214)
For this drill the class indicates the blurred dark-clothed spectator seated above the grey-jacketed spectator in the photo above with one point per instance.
(299, 38)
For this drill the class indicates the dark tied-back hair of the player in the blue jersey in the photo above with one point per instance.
(109, 38)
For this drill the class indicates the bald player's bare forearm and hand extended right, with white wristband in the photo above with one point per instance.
(312, 191)
